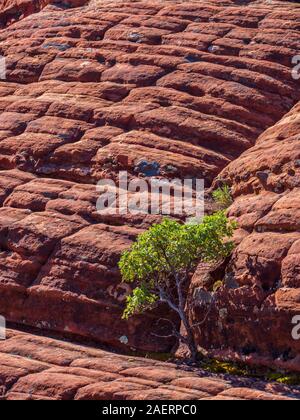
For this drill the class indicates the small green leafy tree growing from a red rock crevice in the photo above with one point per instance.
(162, 260)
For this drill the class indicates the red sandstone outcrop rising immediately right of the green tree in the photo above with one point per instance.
(253, 312)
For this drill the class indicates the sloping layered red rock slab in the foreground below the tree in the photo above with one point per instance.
(39, 368)
